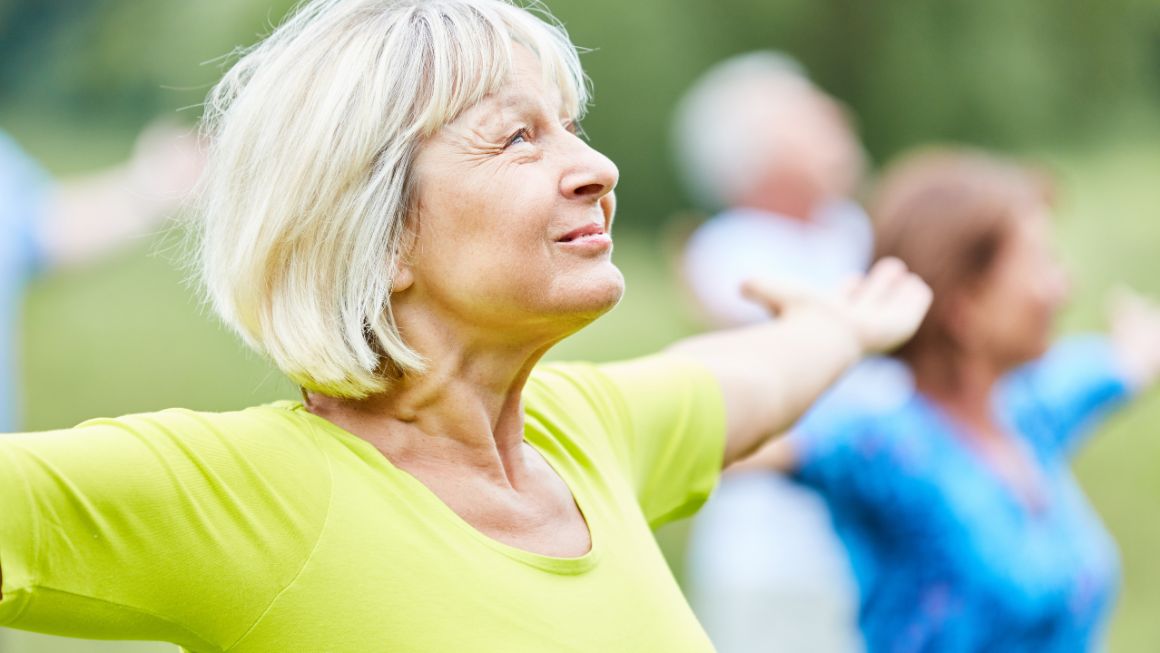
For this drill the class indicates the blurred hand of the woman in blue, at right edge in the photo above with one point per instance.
(1136, 336)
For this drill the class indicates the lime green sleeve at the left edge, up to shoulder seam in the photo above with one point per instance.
(146, 527)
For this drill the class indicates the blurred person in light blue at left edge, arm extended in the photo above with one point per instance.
(52, 226)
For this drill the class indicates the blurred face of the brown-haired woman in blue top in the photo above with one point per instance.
(1011, 316)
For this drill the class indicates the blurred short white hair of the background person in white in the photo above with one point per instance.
(717, 133)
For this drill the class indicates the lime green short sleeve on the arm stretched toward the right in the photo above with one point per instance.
(664, 418)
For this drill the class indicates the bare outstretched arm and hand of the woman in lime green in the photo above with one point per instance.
(771, 374)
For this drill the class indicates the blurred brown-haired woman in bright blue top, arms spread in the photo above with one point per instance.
(963, 524)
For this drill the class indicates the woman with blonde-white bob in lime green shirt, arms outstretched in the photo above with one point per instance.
(401, 215)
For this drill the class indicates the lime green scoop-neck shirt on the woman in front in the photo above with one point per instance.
(273, 531)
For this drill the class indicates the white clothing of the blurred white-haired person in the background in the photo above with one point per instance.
(766, 570)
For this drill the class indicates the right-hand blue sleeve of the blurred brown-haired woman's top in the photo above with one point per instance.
(1069, 393)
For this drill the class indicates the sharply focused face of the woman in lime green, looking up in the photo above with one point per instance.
(514, 216)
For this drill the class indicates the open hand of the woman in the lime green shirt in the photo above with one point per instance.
(882, 310)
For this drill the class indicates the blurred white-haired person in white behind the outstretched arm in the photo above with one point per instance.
(779, 158)
